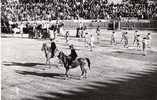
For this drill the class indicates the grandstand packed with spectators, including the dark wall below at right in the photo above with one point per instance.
(121, 14)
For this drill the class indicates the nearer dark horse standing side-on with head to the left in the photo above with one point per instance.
(78, 62)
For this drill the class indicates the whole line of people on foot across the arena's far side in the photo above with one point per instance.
(39, 31)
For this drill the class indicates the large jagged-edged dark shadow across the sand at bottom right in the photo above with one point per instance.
(143, 86)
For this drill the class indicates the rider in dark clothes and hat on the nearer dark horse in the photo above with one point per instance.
(73, 54)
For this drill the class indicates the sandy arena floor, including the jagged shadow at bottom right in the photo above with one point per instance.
(116, 73)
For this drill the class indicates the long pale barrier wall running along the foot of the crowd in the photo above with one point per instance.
(107, 24)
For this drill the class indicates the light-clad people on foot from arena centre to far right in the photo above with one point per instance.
(140, 41)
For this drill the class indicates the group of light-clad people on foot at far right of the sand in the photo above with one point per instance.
(141, 41)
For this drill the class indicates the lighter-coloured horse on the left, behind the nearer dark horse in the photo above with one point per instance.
(47, 50)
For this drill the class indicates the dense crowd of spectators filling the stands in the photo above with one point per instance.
(70, 9)
